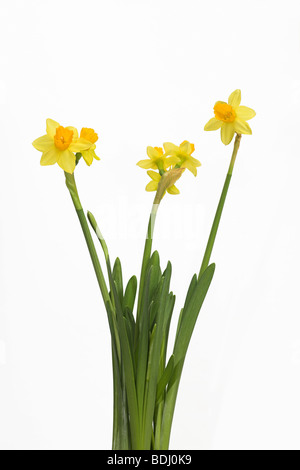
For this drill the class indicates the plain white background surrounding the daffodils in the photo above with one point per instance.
(142, 73)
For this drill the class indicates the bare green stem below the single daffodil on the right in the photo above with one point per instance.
(215, 225)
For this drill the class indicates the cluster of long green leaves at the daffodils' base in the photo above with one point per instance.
(145, 381)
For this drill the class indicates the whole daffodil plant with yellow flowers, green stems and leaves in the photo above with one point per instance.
(145, 380)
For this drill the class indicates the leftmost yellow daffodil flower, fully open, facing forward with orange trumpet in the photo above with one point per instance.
(59, 145)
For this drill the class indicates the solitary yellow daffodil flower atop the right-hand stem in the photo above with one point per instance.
(231, 118)
